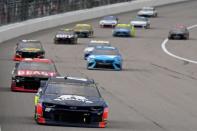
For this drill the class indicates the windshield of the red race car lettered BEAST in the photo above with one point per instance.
(38, 66)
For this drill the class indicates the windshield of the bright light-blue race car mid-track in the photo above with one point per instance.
(105, 52)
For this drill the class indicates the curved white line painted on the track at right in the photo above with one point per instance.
(163, 45)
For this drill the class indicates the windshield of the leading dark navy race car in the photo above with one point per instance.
(72, 89)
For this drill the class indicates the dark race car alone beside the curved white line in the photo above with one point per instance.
(179, 32)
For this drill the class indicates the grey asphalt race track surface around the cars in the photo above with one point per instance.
(154, 92)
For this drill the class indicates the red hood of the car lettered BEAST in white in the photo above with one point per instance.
(35, 73)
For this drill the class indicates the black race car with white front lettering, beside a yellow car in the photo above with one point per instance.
(65, 36)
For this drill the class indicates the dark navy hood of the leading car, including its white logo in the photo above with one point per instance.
(73, 100)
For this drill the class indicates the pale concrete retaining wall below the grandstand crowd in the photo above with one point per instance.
(17, 29)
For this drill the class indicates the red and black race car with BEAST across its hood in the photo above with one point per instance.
(28, 73)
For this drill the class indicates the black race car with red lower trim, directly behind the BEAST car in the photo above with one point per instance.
(28, 49)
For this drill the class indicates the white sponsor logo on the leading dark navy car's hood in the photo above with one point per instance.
(74, 98)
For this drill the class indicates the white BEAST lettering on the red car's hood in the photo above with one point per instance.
(34, 73)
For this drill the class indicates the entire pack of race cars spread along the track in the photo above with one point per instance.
(74, 101)
